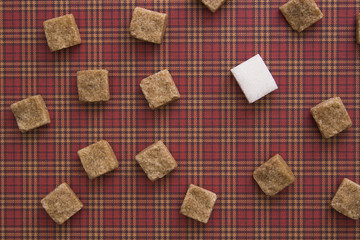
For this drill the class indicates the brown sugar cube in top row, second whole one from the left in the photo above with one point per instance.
(148, 25)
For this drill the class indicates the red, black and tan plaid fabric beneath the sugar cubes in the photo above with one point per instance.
(216, 137)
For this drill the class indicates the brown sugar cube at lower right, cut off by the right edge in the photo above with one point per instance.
(347, 199)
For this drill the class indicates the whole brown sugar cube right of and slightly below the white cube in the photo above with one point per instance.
(331, 117)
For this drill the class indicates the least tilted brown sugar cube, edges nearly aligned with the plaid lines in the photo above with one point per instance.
(93, 85)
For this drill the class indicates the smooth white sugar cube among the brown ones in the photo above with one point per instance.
(254, 78)
